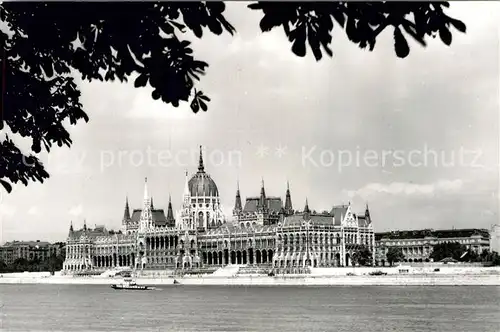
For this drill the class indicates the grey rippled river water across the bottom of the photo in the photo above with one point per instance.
(206, 308)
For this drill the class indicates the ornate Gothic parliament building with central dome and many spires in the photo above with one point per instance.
(262, 232)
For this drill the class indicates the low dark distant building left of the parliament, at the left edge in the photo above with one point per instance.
(29, 250)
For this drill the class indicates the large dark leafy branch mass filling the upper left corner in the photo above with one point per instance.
(49, 41)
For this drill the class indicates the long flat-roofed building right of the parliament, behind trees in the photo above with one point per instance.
(417, 244)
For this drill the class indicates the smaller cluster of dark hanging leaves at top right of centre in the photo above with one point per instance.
(313, 23)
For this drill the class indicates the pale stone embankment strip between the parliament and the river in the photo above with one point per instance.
(290, 280)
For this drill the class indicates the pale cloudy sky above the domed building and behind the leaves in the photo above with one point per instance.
(415, 138)
